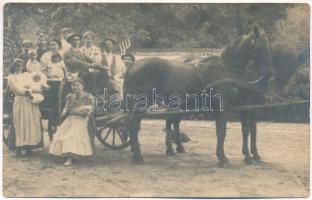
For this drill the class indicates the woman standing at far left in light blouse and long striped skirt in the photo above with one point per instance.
(26, 115)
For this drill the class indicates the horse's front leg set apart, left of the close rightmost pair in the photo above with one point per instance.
(221, 133)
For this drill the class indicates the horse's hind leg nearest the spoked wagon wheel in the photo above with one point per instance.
(135, 146)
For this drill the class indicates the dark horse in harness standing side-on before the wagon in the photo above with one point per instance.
(247, 59)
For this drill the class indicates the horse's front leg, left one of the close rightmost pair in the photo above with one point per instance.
(245, 131)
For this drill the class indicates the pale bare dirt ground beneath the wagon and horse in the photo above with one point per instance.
(284, 171)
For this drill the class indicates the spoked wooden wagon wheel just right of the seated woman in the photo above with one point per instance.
(114, 137)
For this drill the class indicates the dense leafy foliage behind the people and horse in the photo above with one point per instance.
(175, 26)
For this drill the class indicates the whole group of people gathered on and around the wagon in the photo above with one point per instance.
(61, 59)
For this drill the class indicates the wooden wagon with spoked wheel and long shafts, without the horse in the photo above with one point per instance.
(110, 128)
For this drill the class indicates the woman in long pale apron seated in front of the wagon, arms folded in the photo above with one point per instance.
(72, 139)
